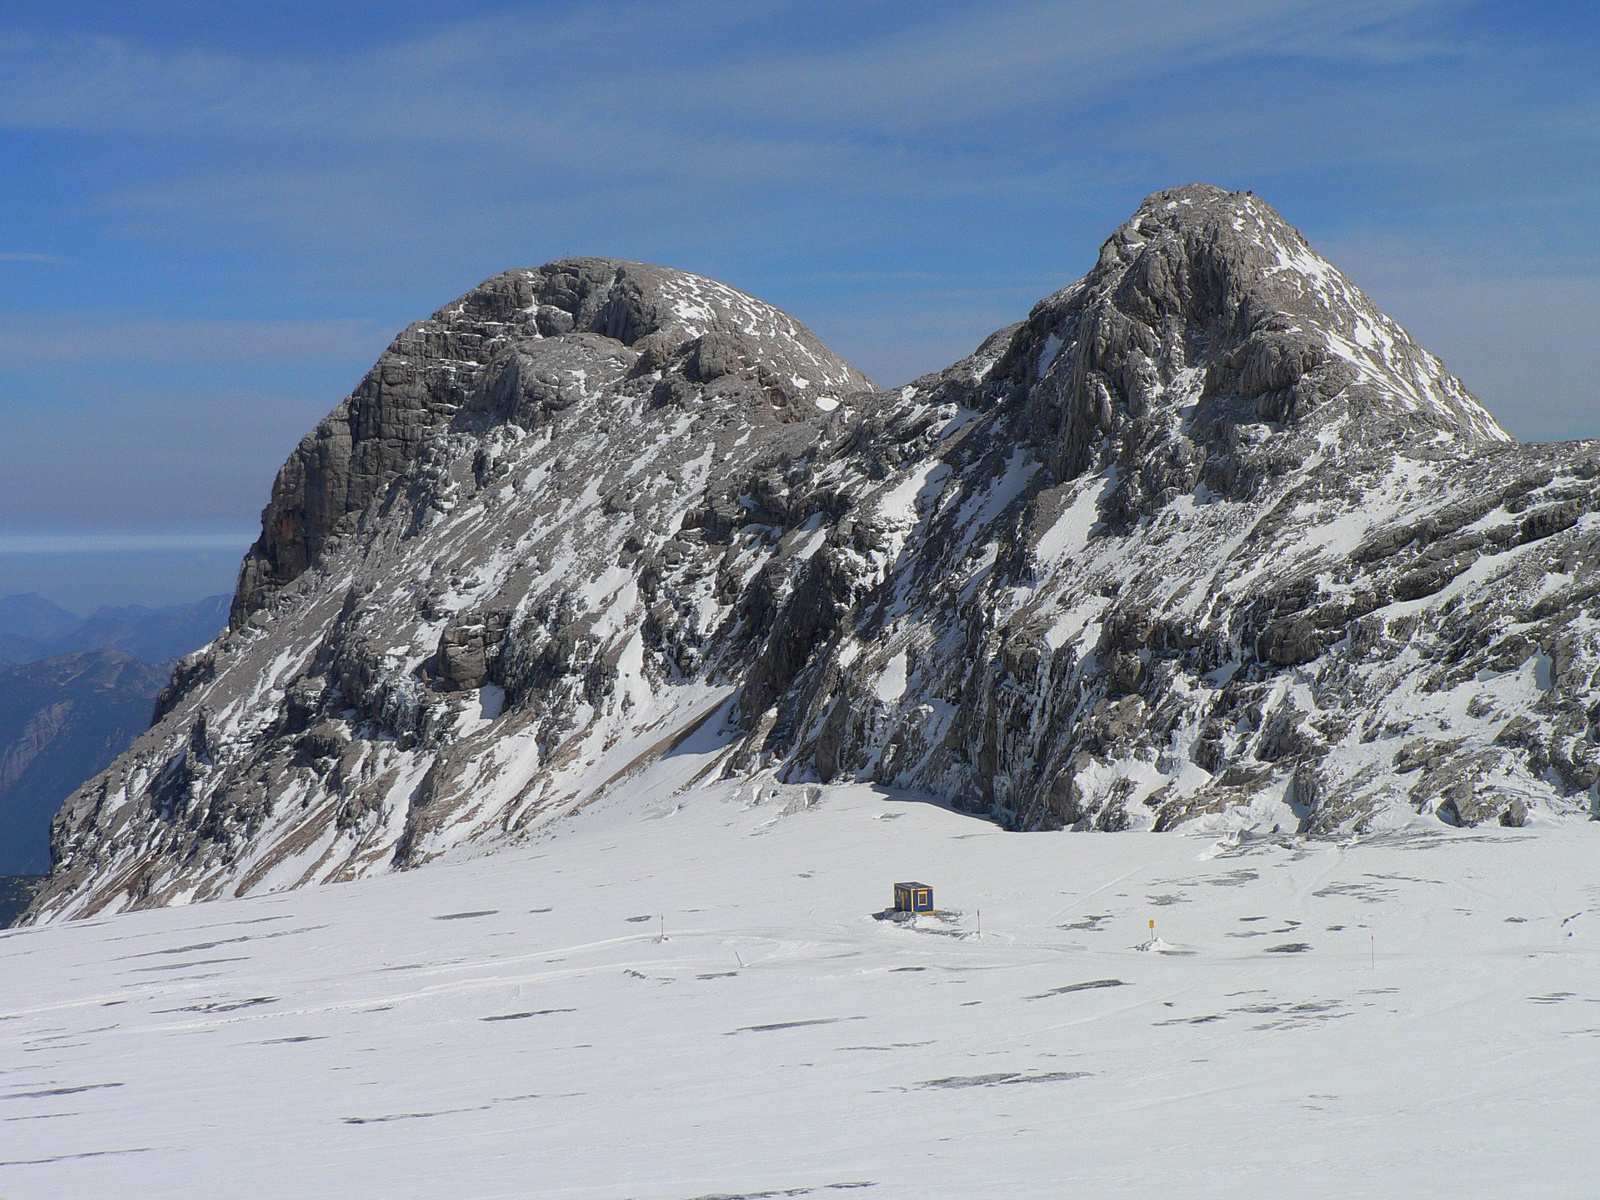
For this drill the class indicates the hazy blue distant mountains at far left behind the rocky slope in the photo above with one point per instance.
(74, 694)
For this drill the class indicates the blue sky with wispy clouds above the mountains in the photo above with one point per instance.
(214, 218)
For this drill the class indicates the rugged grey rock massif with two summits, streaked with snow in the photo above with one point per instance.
(1207, 537)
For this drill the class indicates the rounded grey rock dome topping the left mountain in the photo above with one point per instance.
(521, 348)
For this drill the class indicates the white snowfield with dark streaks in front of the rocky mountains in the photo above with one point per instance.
(1410, 1015)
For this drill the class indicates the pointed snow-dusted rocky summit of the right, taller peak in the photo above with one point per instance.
(1210, 345)
